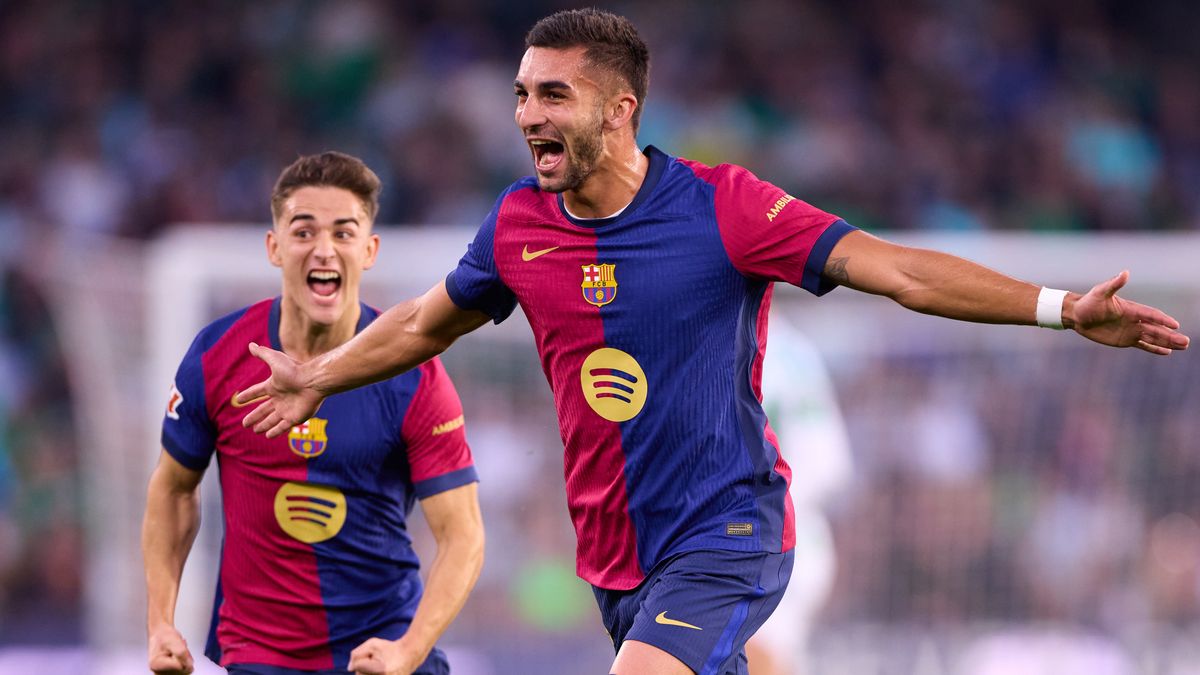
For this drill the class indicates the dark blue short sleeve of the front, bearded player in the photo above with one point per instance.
(476, 284)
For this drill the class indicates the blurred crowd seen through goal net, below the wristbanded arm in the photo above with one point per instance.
(994, 487)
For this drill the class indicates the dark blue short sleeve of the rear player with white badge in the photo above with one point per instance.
(188, 433)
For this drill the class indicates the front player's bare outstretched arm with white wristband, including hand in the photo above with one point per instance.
(945, 285)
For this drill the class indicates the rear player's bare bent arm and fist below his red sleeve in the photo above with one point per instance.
(458, 529)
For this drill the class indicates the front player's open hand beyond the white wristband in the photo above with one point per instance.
(1103, 318)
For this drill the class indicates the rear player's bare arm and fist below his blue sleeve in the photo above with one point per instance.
(169, 530)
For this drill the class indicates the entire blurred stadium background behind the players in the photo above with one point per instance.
(1022, 499)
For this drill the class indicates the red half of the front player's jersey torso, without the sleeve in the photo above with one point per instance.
(567, 330)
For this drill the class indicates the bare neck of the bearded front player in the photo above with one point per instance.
(614, 184)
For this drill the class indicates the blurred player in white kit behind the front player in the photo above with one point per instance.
(802, 405)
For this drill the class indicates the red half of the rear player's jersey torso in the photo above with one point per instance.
(259, 559)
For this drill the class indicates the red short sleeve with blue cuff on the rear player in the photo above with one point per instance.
(435, 434)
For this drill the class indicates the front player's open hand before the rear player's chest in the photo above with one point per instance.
(289, 402)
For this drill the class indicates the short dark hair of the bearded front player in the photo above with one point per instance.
(611, 41)
